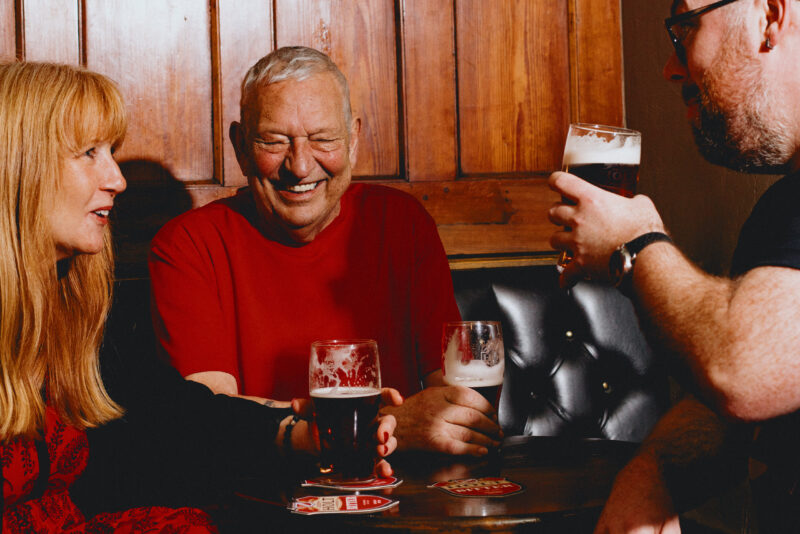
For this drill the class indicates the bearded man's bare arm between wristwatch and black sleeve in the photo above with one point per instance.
(739, 337)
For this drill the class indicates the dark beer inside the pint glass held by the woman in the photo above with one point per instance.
(346, 419)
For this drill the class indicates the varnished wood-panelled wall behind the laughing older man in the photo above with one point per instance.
(464, 103)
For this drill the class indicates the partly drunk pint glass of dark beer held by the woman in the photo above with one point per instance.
(344, 382)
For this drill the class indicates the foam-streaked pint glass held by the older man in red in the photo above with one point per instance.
(473, 356)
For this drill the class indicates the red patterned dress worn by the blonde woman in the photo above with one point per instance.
(34, 504)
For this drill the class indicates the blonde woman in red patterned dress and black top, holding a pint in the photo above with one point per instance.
(59, 127)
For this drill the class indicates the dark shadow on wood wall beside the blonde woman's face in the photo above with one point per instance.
(153, 197)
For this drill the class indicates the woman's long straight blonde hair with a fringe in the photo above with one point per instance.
(51, 325)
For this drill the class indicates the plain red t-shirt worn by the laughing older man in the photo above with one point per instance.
(226, 298)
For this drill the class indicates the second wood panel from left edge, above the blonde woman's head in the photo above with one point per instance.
(51, 30)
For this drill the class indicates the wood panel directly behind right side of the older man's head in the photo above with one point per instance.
(360, 37)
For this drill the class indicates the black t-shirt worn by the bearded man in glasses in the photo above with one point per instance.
(771, 237)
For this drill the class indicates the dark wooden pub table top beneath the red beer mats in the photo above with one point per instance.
(565, 483)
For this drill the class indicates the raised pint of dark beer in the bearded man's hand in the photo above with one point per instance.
(605, 156)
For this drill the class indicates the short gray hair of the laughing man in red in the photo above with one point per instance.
(292, 63)
